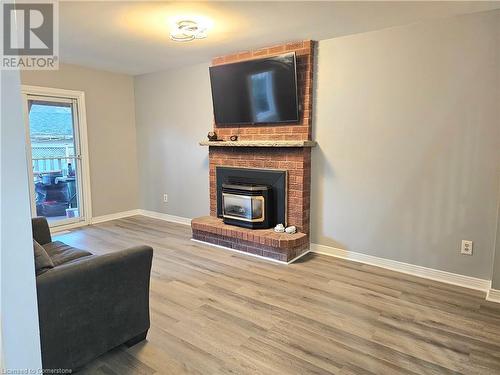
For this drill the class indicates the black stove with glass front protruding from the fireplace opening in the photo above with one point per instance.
(247, 205)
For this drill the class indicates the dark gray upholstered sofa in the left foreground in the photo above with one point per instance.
(89, 304)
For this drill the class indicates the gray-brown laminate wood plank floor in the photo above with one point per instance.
(218, 312)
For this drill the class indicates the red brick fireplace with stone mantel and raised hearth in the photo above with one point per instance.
(267, 146)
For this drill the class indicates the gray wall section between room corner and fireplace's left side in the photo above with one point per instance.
(174, 113)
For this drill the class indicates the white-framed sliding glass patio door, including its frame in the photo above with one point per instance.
(56, 163)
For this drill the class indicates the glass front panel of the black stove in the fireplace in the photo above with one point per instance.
(243, 207)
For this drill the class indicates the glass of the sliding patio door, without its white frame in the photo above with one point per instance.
(53, 160)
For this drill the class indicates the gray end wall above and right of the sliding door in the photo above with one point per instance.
(111, 132)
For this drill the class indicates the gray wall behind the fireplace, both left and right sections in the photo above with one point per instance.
(407, 123)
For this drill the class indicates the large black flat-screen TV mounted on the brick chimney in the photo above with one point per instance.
(255, 91)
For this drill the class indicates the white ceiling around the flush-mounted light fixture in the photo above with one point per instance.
(133, 37)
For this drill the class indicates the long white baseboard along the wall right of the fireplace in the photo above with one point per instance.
(411, 269)
